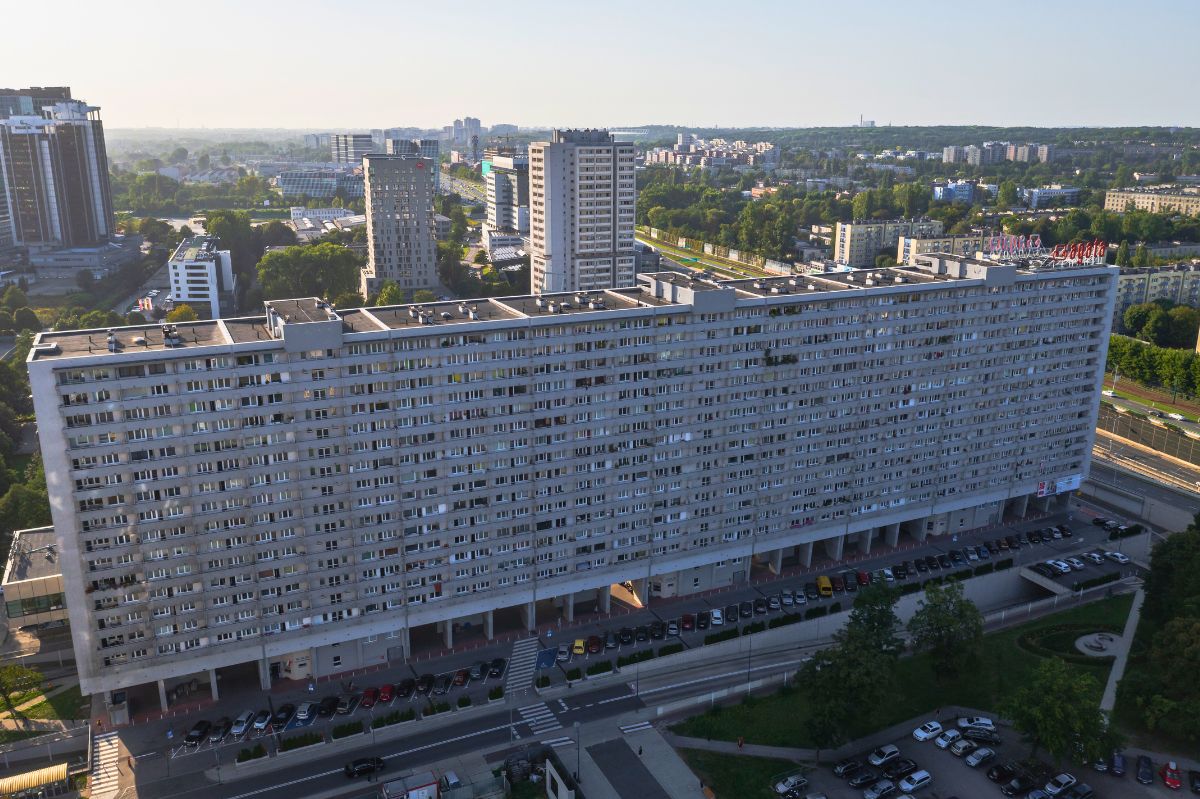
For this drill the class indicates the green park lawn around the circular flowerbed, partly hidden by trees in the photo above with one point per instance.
(1004, 666)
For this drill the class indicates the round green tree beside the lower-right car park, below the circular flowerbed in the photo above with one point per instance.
(1059, 712)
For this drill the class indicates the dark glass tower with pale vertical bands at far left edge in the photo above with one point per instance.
(56, 178)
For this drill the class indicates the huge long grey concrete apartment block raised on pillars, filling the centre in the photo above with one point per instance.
(262, 490)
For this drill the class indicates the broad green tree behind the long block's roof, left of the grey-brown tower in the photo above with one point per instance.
(325, 271)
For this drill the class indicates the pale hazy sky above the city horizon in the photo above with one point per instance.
(328, 65)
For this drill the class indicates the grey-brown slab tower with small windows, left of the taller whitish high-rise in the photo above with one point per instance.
(401, 231)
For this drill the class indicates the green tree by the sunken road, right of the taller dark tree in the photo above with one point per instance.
(950, 627)
